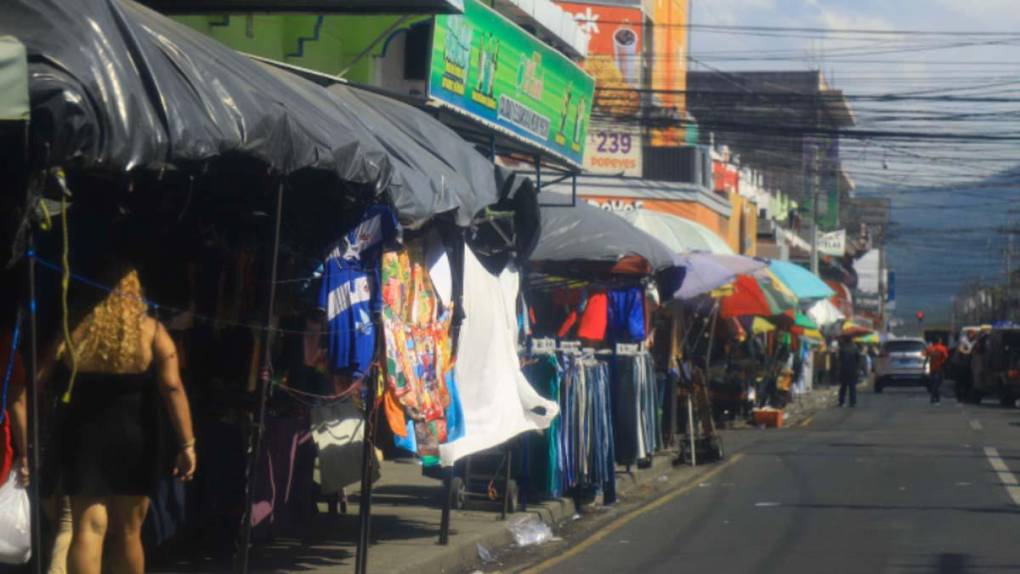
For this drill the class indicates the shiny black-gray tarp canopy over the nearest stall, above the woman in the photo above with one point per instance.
(117, 87)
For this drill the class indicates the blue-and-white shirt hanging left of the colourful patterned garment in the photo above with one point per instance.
(350, 294)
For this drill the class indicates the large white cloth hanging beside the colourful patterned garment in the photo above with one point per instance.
(498, 402)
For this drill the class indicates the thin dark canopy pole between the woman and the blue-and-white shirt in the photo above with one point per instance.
(265, 382)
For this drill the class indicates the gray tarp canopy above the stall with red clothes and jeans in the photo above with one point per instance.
(587, 234)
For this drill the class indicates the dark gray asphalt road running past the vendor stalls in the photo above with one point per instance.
(895, 486)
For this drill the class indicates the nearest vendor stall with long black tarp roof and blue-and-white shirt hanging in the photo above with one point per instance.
(228, 183)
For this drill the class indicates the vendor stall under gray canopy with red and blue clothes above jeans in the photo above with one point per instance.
(591, 296)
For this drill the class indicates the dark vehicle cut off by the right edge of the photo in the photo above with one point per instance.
(996, 367)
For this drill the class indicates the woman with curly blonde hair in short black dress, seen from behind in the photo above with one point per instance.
(119, 362)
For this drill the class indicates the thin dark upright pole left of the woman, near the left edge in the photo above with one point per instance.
(33, 391)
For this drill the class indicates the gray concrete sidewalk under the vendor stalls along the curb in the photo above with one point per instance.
(406, 513)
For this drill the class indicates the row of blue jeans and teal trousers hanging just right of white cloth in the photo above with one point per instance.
(580, 445)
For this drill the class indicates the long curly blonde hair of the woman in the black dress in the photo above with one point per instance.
(110, 338)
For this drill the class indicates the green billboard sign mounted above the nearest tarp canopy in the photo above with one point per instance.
(488, 68)
